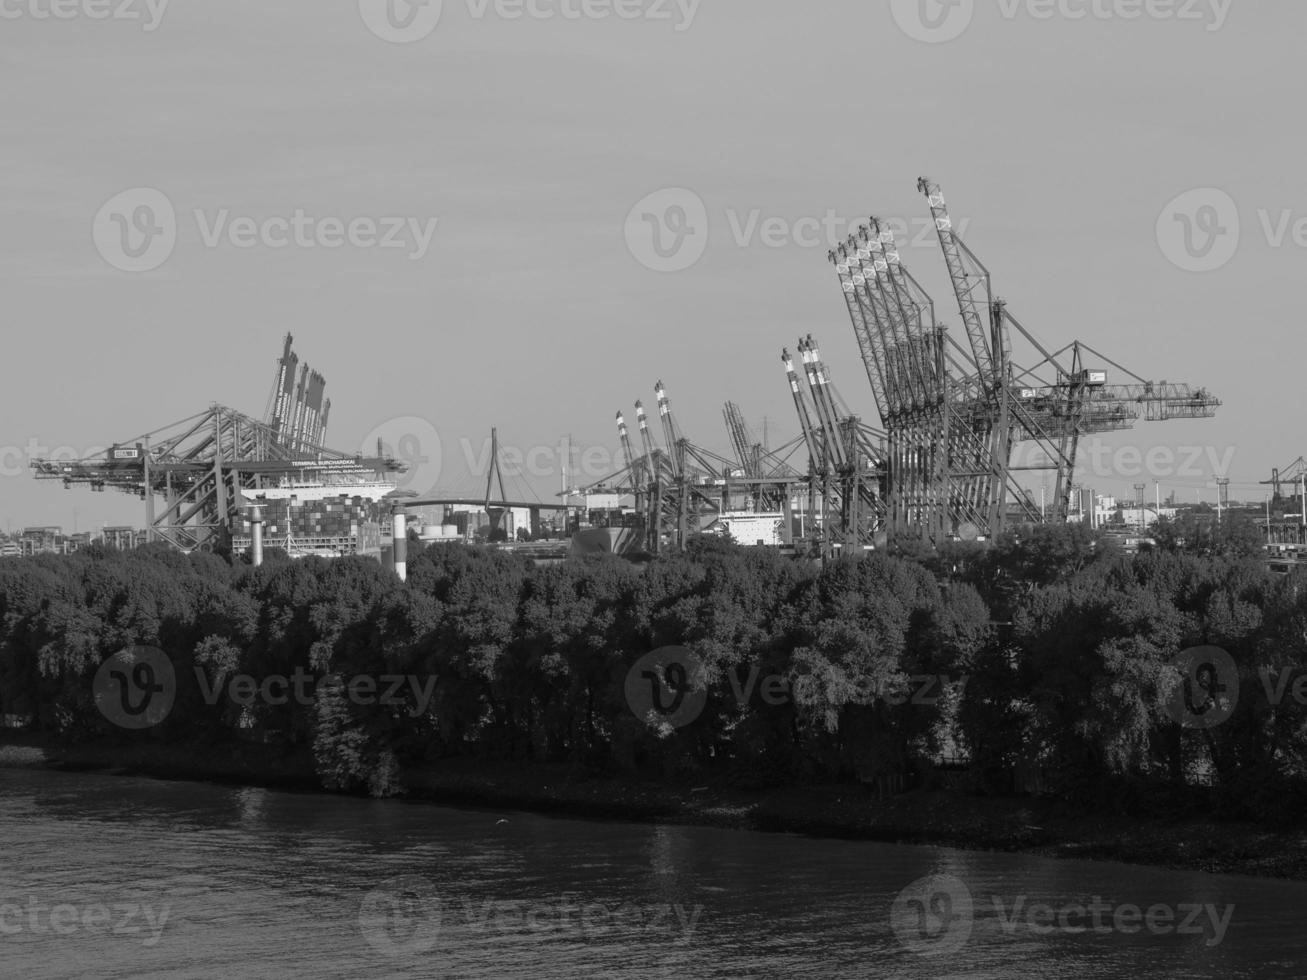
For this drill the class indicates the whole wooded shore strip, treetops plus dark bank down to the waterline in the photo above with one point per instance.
(1036, 694)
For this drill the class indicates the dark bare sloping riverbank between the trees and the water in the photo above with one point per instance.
(942, 819)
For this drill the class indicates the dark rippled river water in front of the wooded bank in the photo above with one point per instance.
(114, 877)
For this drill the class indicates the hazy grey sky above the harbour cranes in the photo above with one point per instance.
(1062, 133)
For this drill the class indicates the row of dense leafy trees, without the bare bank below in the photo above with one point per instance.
(1045, 662)
